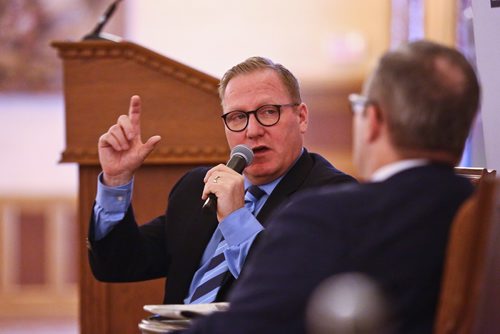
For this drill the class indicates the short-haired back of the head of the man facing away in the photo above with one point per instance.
(428, 95)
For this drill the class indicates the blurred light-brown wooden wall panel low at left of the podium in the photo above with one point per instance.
(35, 257)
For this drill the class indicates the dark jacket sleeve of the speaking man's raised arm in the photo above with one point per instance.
(134, 253)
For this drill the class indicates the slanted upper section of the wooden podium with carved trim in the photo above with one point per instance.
(179, 103)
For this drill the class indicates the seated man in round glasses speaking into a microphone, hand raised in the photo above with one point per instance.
(202, 254)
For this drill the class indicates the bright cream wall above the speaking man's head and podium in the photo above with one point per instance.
(319, 40)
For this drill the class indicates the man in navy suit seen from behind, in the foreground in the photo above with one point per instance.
(410, 126)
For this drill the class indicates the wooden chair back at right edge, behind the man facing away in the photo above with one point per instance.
(470, 291)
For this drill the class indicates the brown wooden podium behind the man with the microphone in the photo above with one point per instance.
(180, 104)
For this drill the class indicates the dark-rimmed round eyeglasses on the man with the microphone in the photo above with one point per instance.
(266, 115)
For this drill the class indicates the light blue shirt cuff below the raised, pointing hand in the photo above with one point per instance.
(114, 199)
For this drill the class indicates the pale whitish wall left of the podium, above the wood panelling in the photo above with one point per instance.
(31, 141)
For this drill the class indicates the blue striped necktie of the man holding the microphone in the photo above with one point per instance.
(216, 271)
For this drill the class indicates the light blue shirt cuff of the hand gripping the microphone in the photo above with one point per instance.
(239, 226)
